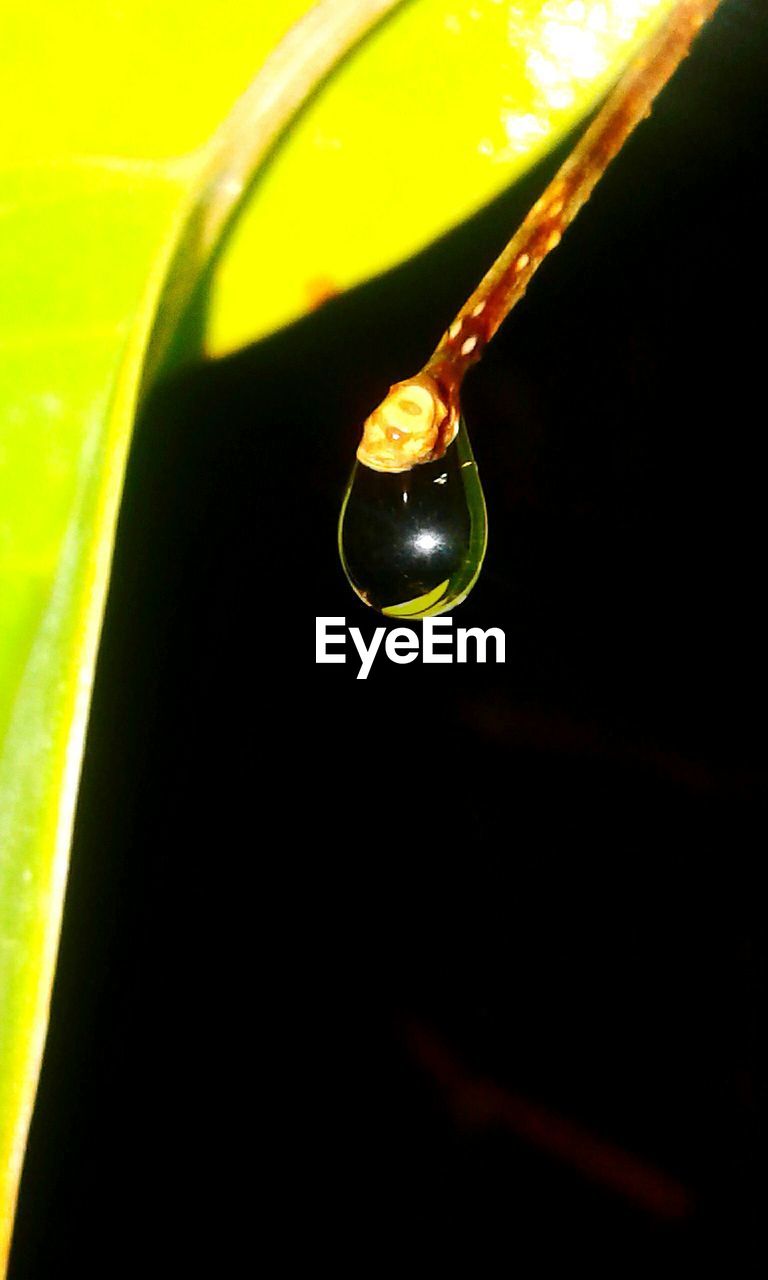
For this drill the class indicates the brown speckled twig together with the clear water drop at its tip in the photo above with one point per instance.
(413, 528)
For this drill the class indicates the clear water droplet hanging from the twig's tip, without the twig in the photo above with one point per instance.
(413, 542)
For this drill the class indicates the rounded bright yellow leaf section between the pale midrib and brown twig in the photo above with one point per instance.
(451, 103)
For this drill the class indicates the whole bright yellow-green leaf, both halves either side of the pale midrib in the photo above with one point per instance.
(112, 198)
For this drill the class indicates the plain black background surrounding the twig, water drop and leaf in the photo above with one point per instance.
(300, 904)
